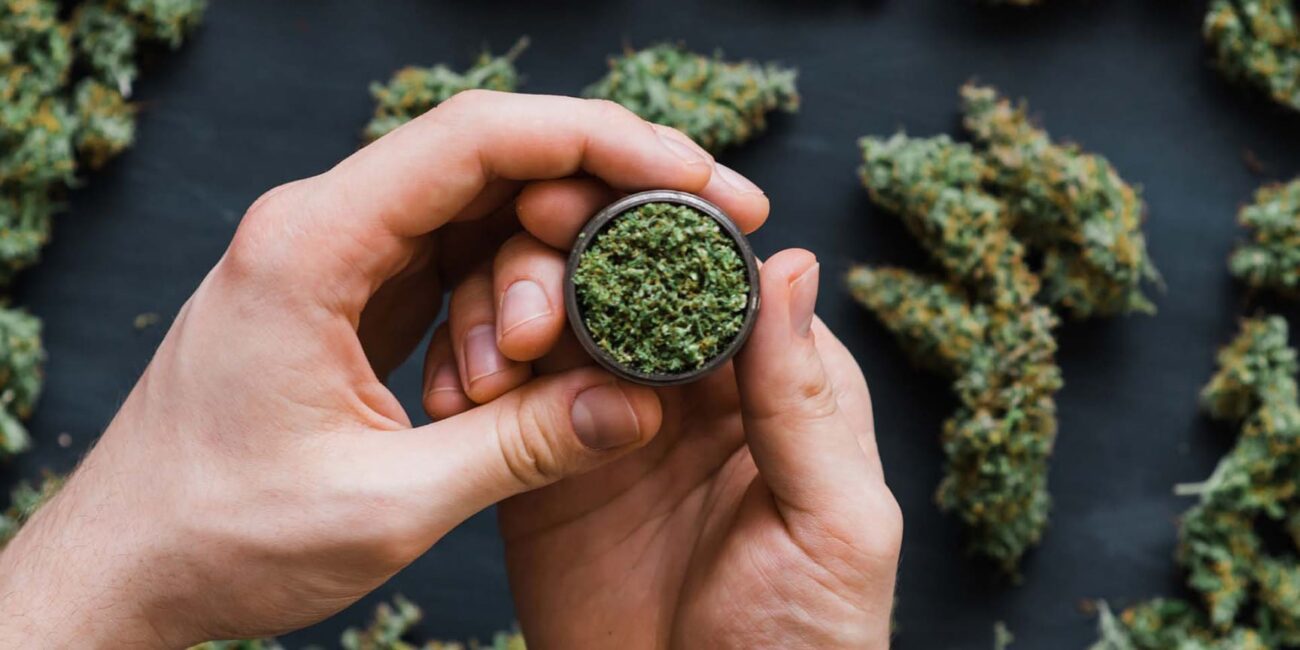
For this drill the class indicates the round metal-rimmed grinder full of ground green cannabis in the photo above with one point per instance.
(662, 288)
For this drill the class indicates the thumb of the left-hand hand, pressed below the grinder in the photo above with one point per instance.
(545, 431)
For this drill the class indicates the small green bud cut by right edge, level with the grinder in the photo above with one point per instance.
(1272, 258)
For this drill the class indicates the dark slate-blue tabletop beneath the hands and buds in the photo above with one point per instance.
(270, 92)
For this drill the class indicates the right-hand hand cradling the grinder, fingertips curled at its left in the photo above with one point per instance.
(759, 518)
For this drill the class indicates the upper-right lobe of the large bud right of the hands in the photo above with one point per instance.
(1069, 205)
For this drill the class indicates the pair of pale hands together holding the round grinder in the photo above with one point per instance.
(262, 478)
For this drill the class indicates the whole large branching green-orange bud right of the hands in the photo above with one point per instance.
(981, 211)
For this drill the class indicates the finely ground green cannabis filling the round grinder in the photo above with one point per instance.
(662, 289)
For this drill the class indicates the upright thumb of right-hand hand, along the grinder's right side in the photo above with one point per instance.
(804, 449)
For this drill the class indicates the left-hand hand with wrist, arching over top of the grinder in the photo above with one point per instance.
(261, 476)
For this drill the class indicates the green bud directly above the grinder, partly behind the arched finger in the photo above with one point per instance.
(717, 103)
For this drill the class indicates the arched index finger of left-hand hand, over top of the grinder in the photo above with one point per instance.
(349, 229)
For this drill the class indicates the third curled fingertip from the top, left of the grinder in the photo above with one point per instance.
(486, 374)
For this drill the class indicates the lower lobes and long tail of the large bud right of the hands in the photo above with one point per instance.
(999, 441)
